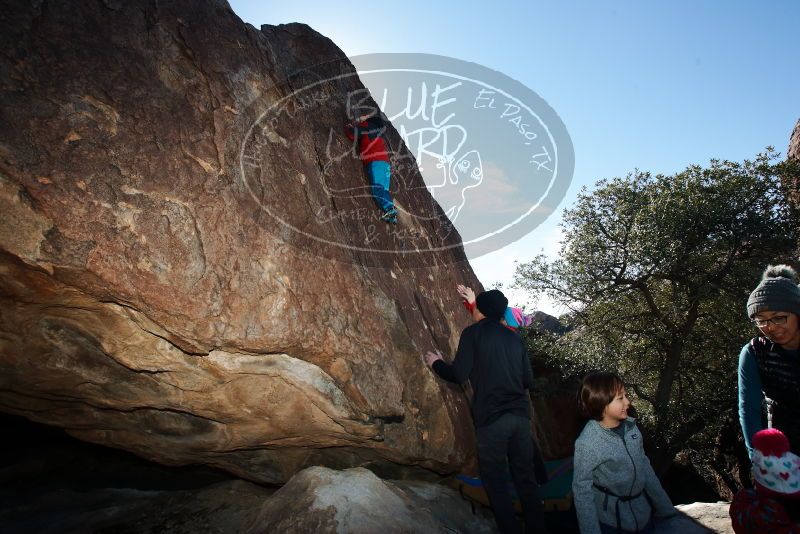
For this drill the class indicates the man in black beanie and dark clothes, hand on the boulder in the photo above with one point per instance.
(494, 360)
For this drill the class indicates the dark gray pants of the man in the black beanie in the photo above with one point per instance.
(503, 445)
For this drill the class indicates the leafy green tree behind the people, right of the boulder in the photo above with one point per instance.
(656, 271)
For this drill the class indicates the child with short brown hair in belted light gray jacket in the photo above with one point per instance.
(614, 486)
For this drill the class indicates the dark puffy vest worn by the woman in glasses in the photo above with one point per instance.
(780, 381)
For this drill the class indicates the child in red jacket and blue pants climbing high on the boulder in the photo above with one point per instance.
(369, 129)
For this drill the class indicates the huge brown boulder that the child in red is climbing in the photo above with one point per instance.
(167, 285)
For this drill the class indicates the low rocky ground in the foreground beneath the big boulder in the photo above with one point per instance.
(315, 500)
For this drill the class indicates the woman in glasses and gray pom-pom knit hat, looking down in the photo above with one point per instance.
(769, 365)
